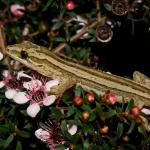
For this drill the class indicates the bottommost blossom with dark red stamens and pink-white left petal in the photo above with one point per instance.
(51, 134)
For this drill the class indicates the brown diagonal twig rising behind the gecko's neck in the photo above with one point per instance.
(75, 37)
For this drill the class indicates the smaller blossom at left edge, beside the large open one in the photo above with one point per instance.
(12, 84)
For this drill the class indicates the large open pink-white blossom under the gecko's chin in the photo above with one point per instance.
(37, 94)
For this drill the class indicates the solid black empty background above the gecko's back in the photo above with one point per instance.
(126, 53)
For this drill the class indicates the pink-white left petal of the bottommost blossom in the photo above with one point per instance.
(41, 134)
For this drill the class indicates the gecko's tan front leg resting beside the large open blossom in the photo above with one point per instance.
(65, 82)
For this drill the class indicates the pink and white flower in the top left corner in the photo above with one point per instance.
(17, 10)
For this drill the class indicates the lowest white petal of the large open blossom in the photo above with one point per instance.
(33, 110)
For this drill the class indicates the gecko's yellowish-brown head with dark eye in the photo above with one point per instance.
(23, 52)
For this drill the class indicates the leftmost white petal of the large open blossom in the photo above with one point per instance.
(20, 98)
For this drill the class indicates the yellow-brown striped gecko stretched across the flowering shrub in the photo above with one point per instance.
(69, 74)
